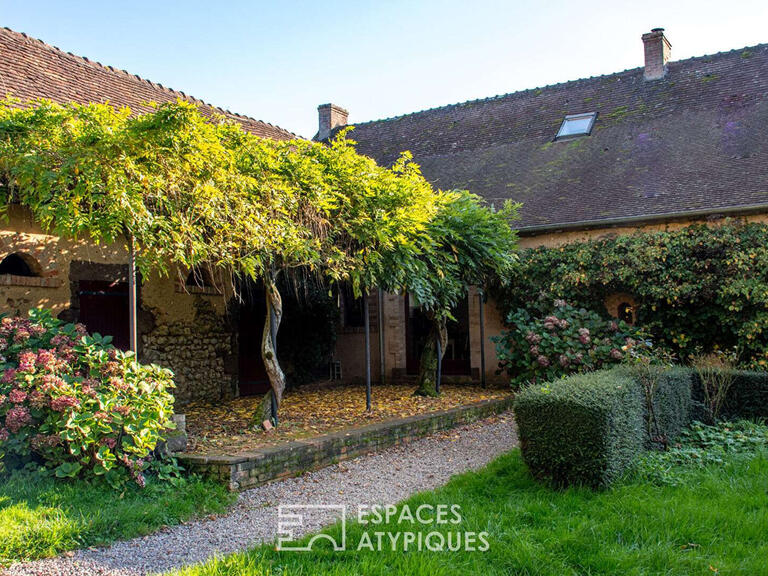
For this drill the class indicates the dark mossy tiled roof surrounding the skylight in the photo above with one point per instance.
(694, 142)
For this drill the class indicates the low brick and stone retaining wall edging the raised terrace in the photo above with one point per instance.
(292, 459)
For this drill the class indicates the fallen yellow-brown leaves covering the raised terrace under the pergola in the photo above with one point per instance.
(225, 427)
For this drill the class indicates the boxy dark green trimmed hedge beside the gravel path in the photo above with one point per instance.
(588, 428)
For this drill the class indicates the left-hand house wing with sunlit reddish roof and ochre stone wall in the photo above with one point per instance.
(186, 322)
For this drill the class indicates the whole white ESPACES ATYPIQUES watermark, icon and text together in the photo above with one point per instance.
(433, 528)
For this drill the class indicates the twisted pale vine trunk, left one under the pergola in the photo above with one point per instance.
(269, 352)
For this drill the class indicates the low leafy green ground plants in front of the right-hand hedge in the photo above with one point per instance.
(702, 446)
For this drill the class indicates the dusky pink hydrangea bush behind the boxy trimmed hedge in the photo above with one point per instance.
(568, 340)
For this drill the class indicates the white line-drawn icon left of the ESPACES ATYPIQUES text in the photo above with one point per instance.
(290, 517)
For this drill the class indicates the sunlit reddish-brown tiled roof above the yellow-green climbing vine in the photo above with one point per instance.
(31, 69)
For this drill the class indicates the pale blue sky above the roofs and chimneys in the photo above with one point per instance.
(277, 61)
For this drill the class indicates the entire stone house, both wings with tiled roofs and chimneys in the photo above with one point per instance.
(655, 147)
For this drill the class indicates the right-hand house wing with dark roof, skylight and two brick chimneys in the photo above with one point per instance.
(655, 147)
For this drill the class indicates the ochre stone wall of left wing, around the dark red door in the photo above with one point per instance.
(190, 333)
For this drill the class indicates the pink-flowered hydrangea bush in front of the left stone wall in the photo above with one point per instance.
(76, 404)
